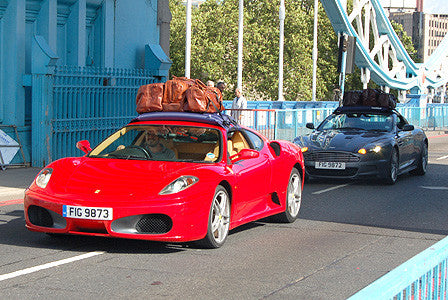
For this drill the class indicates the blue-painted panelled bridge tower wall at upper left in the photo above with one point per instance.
(102, 43)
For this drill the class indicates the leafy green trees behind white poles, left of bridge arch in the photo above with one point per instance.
(214, 47)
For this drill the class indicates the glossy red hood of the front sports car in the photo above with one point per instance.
(112, 178)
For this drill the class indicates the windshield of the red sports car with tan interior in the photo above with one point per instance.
(161, 143)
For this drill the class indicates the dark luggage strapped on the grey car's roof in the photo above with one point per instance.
(369, 97)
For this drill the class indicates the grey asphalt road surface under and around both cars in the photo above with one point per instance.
(348, 234)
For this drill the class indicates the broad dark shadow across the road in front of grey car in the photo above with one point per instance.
(414, 203)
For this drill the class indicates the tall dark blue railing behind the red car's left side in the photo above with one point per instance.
(83, 103)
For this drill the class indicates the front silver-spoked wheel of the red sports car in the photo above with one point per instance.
(218, 220)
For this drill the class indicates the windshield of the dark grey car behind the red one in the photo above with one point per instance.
(358, 121)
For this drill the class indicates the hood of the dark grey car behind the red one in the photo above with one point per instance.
(341, 140)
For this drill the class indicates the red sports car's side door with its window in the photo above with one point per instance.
(252, 179)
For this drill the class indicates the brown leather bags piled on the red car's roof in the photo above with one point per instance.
(179, 94)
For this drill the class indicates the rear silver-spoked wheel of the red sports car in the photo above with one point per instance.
(293, 198)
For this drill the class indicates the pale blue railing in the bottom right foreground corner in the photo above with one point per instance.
(422, 277)
